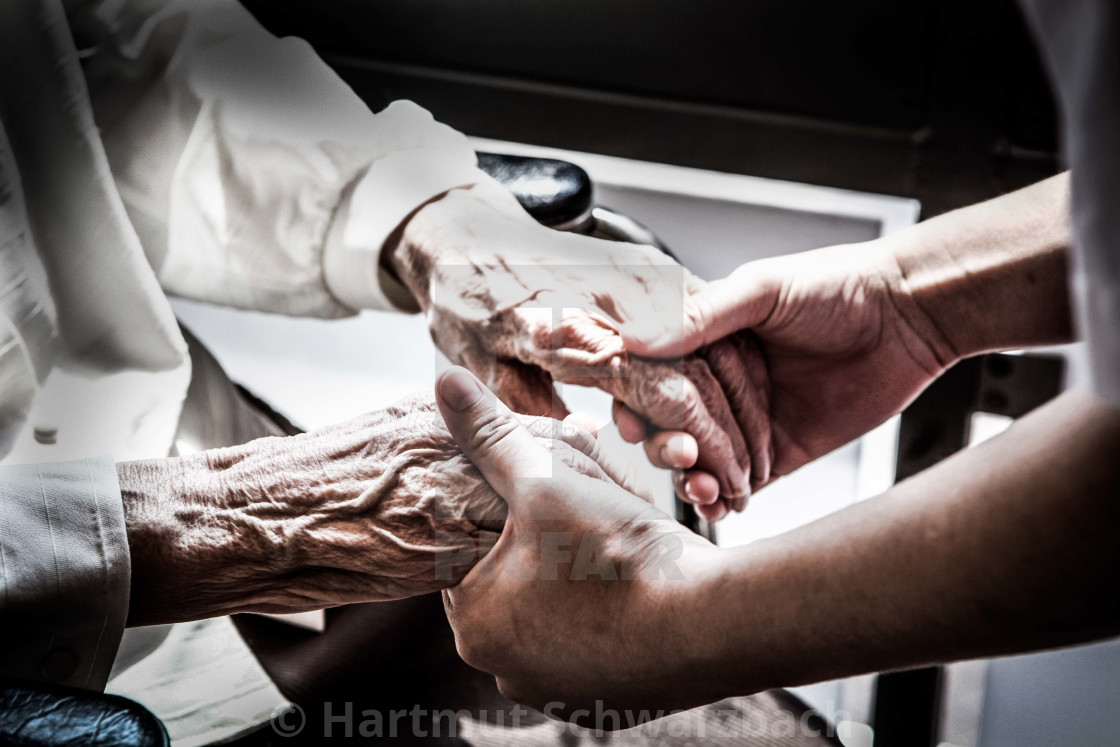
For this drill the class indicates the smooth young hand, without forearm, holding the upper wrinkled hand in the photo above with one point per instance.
(835, 347)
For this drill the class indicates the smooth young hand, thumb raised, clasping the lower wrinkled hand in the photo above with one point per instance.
(586, 586)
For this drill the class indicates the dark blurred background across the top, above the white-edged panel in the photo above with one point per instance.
(944, 101)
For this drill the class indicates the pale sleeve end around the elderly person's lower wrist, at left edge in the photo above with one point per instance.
(66, 574)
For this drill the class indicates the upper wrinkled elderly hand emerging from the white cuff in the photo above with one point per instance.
(524, 306)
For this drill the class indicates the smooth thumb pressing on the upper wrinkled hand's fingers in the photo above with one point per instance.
(721, 309)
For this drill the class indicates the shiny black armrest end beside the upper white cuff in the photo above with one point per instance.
(558, 194)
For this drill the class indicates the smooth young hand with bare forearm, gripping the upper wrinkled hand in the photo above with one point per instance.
(815, 350)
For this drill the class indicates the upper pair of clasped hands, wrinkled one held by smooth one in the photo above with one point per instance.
(732, 384)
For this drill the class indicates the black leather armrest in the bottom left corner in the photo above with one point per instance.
(35, 715)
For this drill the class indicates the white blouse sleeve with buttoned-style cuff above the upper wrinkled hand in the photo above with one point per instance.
(236, 152)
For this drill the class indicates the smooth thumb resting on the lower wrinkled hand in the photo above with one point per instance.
(491, 436)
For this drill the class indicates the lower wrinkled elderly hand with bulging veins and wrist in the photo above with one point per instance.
(377, 509)
